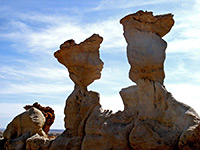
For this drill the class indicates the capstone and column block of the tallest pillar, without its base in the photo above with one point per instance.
(146, 49)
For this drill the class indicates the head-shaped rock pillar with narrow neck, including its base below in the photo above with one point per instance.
(84, 66)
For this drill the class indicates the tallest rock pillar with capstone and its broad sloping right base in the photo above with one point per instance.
(161, 121)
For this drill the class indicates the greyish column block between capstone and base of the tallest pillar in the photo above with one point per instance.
(146, 55)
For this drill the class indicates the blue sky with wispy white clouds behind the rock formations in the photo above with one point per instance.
(32, 30)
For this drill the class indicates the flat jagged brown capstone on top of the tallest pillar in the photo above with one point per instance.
(145, 21)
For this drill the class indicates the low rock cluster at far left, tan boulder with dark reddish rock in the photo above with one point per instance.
(25, 131)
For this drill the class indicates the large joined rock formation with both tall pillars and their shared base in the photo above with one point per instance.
(152, 118)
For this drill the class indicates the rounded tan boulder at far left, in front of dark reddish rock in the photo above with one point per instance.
(22, 127)
